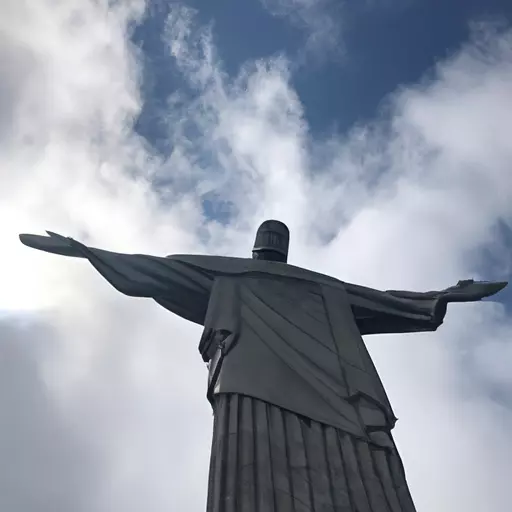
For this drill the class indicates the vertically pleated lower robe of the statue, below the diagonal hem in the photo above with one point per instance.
(267, 459)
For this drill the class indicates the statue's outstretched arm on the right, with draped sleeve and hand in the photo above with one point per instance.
(396, 311)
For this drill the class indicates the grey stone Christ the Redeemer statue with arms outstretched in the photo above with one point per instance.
(301, 419)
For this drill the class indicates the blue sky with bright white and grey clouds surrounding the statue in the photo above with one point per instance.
(378, 133)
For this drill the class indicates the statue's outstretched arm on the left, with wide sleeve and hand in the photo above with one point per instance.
(176, 285)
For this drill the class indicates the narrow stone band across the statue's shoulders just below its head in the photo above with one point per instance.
(225, 265)
